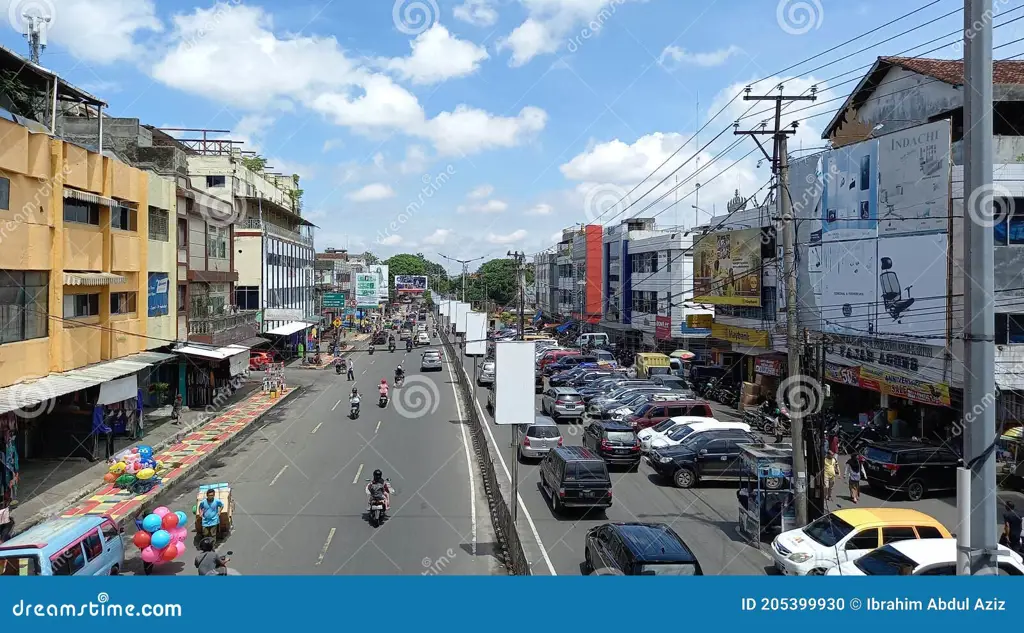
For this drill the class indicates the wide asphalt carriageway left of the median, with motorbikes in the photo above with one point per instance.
(300, 482)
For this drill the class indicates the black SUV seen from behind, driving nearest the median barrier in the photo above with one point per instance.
(575, 478)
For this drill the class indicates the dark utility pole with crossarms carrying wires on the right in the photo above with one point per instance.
(781, 167)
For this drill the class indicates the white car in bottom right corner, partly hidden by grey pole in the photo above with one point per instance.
(921, 558)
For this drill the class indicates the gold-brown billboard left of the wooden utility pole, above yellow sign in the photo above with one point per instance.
(728, 269)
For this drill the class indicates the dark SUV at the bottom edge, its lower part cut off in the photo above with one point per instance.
(638, 550)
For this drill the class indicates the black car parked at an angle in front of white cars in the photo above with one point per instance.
(711, 455)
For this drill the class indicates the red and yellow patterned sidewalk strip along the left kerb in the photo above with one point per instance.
(178, 460)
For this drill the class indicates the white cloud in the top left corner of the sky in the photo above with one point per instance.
(94, 31)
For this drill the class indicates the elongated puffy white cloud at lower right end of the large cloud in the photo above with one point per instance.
(468, 131)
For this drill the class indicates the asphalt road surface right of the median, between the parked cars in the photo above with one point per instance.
(705, 518)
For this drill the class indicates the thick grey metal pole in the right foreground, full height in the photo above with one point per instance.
(979, 336)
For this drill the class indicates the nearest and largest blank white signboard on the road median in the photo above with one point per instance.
(515, 386)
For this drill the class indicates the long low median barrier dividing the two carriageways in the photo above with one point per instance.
(498, 489)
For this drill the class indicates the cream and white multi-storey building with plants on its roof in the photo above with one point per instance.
(274, 244)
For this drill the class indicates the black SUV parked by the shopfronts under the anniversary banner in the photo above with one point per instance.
(915, 469)
